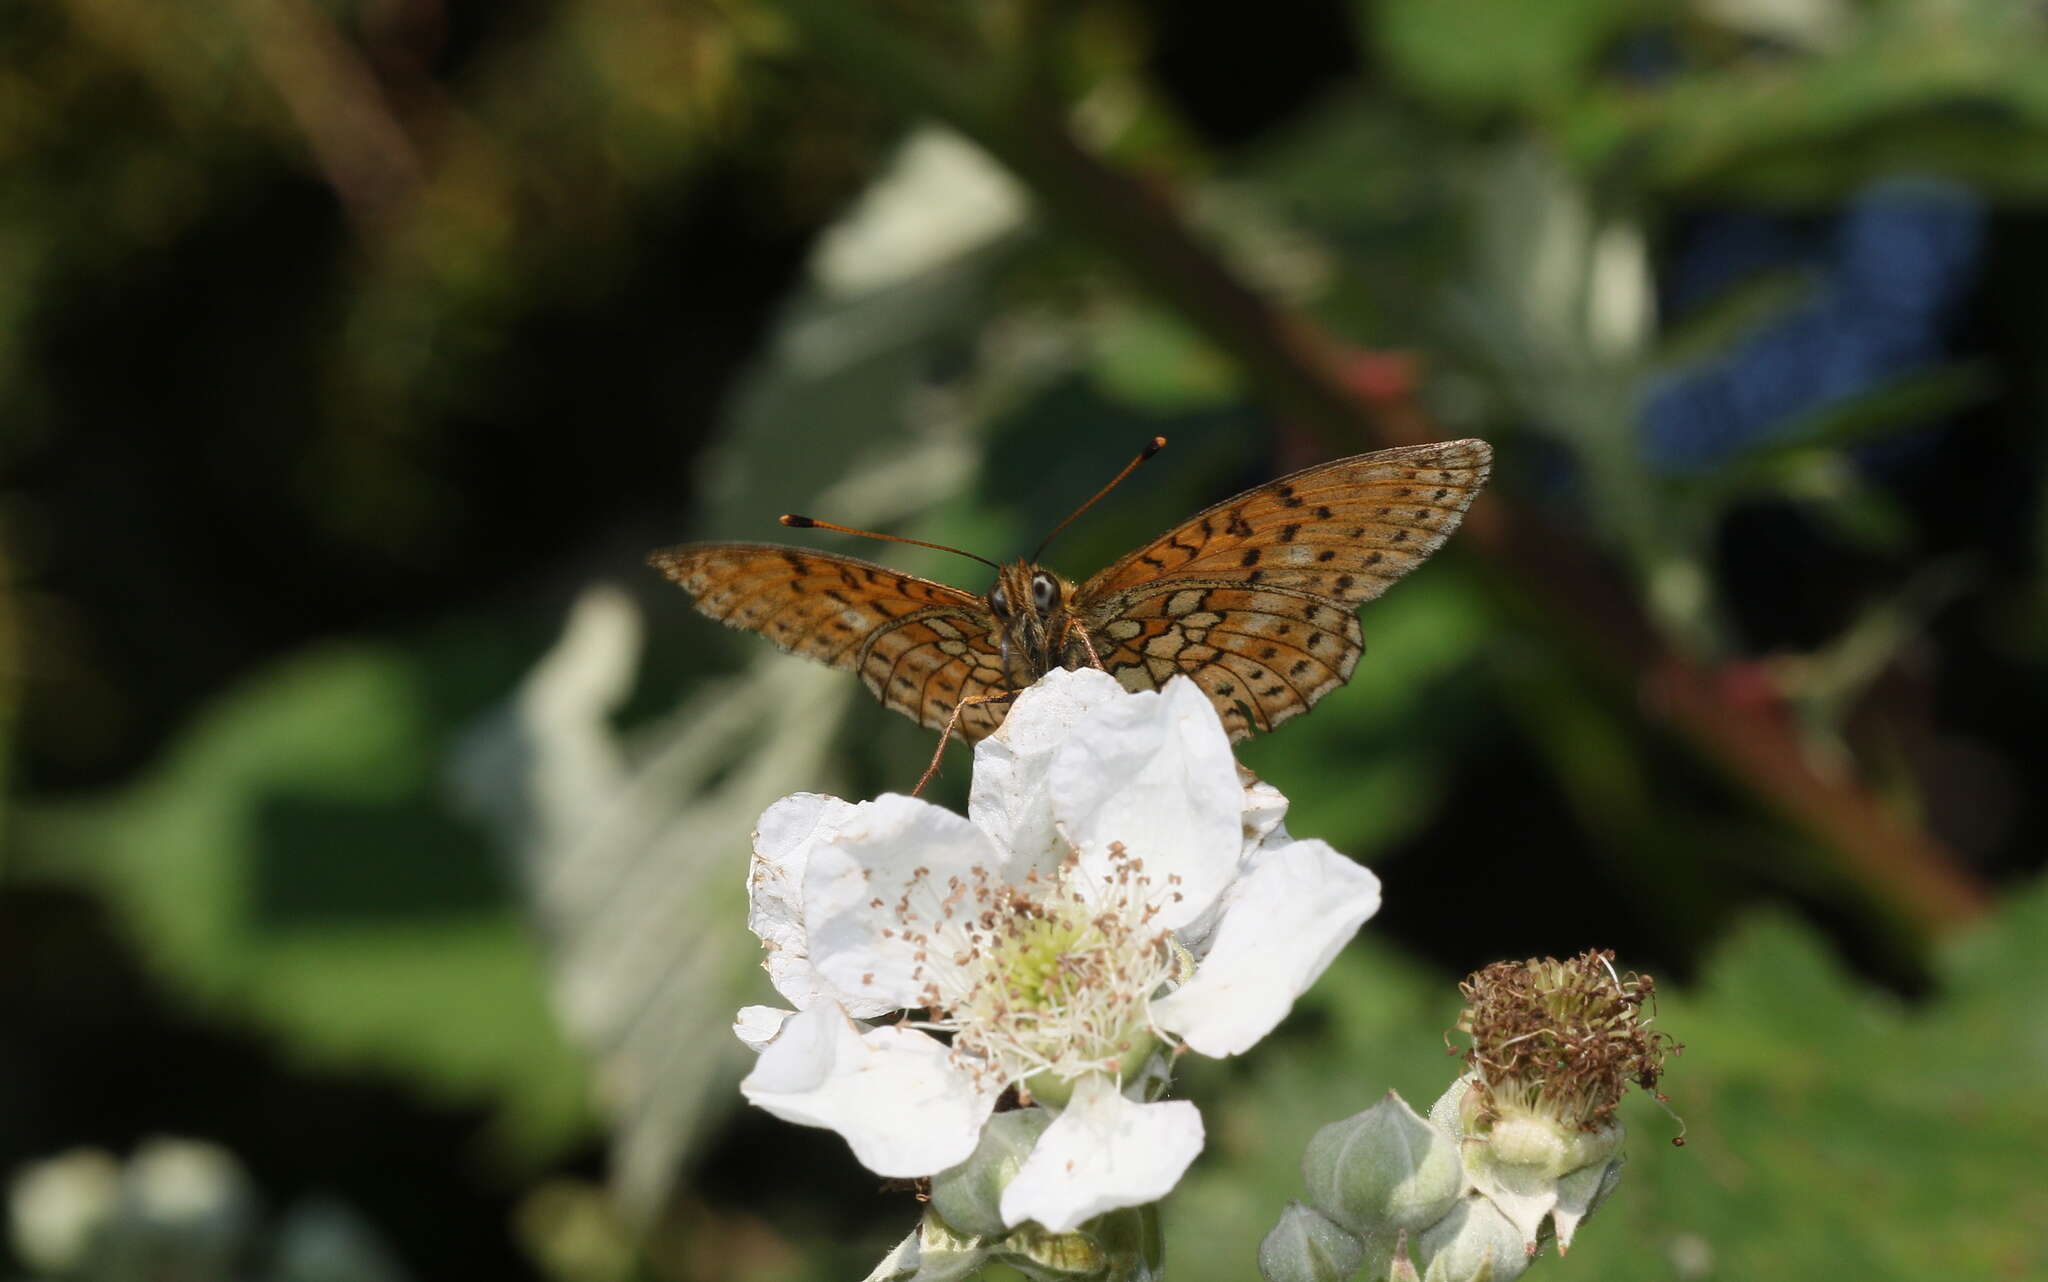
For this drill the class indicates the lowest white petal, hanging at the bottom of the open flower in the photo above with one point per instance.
(1103, 1152)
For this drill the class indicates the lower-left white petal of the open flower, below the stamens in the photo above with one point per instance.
(894, 1093)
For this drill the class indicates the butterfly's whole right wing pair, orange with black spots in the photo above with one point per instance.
(1254, 597)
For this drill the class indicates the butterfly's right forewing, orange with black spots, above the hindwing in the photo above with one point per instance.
(1342, 531)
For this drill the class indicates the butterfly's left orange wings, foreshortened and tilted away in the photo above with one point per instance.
(919, 646)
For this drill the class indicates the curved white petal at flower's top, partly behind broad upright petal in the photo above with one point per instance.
(1009, 798)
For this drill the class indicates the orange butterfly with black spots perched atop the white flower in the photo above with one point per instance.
(1254, 599)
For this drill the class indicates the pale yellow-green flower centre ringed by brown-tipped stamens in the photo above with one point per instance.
(1052, 976)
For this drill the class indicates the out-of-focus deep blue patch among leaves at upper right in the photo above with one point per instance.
(1891, 273)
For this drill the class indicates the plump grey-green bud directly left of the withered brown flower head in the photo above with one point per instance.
(1383, 1170)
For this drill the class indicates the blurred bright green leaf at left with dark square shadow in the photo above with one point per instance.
(290, 861)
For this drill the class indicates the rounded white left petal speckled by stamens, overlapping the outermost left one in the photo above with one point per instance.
(876, 884)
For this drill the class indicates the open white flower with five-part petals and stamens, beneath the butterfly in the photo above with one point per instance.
(1115, 890)
